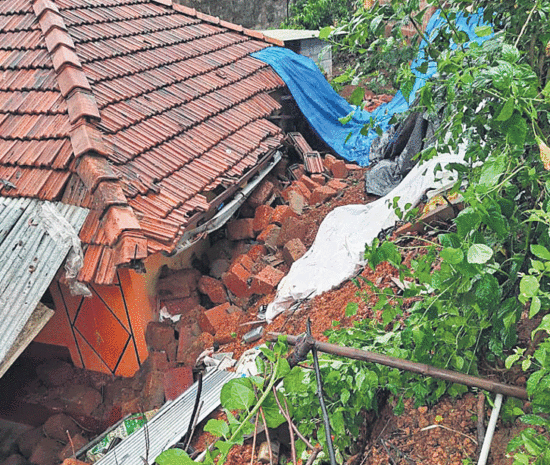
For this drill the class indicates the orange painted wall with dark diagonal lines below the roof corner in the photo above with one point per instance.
(106, 332)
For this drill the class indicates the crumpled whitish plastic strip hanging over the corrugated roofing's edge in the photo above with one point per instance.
(61, 231)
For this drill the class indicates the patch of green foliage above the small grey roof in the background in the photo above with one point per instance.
(315, 14)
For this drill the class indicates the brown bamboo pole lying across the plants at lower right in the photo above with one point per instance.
(421, 368)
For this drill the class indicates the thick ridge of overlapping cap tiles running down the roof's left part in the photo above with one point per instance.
(90, 148)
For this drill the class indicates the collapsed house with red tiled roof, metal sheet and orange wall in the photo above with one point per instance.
(141, 122)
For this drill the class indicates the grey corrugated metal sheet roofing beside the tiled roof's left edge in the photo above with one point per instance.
(29, 260)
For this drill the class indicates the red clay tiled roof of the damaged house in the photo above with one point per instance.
(141, 111)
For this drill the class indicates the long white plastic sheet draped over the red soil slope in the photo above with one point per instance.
(337, 253)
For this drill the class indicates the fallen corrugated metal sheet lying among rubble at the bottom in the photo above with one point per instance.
(169, 424)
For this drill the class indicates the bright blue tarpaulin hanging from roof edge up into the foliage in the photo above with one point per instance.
(323, 107)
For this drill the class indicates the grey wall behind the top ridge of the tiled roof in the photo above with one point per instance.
(253, 14)
